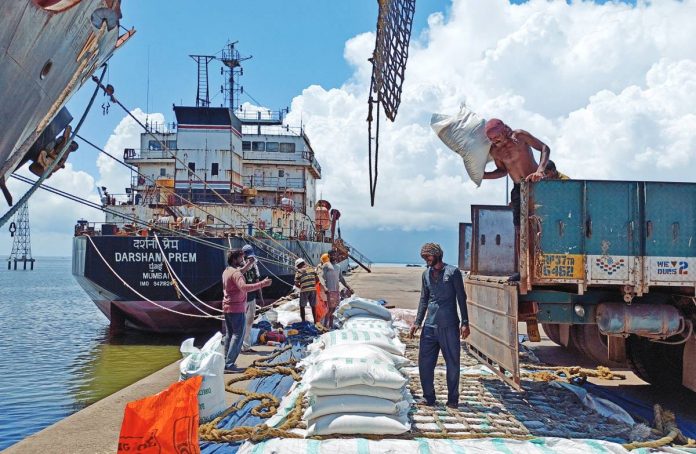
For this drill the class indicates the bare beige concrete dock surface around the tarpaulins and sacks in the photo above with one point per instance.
(96, 428)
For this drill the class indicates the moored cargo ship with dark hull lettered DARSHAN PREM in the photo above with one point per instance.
(215, 179)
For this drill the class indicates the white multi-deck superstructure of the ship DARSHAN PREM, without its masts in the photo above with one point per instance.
(267, 171)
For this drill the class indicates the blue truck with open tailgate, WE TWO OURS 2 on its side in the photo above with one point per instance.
(608, 268)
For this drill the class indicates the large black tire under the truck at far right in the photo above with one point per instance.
(658, 364)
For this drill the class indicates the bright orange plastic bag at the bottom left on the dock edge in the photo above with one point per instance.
(165, 422)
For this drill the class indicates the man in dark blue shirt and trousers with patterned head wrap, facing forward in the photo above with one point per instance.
(442, 289)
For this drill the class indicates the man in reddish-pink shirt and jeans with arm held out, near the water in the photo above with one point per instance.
(235, 290)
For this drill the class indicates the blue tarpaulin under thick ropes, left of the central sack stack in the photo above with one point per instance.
(277, 384)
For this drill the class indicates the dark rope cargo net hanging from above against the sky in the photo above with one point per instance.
(388, 67)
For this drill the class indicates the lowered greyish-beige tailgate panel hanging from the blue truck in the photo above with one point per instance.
(492, 306)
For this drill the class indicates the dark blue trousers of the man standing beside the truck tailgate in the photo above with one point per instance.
(432, 341)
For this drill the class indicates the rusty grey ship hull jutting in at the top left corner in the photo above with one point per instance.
(48, 50)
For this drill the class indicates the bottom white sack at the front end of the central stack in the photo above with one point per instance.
(359, 423)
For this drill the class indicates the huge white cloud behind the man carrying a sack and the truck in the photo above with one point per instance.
(611, 89)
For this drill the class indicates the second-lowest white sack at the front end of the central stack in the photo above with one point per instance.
(326, 405)
